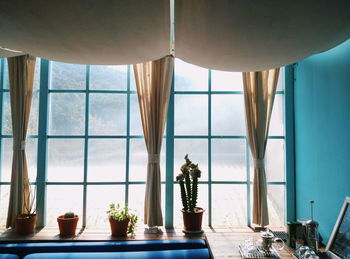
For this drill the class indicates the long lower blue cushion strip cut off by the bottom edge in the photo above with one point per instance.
(166, 254)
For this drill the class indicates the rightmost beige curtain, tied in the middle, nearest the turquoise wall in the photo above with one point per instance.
(259, 94)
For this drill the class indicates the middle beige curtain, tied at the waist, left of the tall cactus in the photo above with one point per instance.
(153, 82)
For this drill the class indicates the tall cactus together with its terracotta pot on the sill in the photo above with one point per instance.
(188, 180)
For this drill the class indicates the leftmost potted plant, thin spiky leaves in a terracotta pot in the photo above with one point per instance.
(25, 222)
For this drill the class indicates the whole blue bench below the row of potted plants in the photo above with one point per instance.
(114, 249)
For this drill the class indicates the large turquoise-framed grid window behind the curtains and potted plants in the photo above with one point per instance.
(92, 150)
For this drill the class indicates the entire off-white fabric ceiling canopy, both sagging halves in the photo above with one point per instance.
(232, 35)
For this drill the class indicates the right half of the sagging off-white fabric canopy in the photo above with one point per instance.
(255, 35)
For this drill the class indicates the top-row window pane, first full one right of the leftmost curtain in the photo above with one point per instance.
(67, 76)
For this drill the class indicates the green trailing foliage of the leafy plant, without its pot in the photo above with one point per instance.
(118, 213)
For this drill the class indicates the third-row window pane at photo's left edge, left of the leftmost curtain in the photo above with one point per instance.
(6, 155)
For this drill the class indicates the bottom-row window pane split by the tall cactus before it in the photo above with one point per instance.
(202, 203)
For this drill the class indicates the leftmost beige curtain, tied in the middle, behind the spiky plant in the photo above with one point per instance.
(21, 76)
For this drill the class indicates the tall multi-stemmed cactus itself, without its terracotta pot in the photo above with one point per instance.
(188, 180)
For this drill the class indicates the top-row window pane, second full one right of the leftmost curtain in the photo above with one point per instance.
(108, 77)
